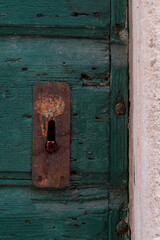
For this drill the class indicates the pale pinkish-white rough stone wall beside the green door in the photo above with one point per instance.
(145, 119)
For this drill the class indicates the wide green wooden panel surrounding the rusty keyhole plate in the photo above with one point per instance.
(26, 61)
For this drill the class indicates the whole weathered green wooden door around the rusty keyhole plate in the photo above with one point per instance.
(82, 43)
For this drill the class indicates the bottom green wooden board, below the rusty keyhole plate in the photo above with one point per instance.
(79, 213)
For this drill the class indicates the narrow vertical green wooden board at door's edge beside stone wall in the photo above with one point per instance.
(118, 177)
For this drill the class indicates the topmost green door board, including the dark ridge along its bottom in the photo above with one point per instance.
(48, 17)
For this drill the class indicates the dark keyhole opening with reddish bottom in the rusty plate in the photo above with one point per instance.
(51, 145)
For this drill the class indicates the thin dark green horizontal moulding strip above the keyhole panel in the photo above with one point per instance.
(65, 32)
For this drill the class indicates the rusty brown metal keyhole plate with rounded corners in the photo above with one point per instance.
(51, 150)
